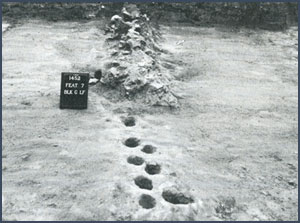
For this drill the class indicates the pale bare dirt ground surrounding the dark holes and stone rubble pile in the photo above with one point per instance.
(232, 145)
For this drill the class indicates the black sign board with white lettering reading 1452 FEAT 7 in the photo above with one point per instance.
(74, 90)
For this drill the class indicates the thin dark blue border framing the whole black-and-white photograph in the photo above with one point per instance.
(148, 1)
